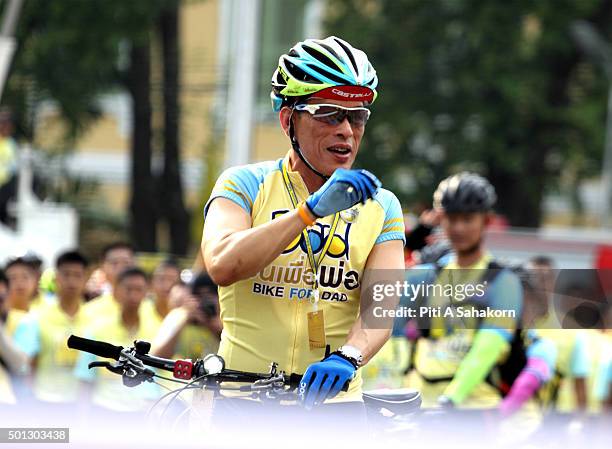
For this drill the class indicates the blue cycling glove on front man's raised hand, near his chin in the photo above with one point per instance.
(343, 190)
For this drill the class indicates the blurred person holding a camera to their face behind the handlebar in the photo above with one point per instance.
(192, 328)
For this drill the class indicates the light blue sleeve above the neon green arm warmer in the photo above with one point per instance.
(505, 293)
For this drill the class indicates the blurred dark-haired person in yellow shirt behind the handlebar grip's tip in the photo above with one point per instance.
(43, 333)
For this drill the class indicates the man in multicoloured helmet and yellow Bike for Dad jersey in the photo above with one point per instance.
(288, 240)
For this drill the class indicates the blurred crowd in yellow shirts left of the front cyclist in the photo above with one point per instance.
(116, 302)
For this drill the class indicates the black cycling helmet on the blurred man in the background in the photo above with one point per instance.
(465, 192)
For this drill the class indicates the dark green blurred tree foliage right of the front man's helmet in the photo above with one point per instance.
(465, 84)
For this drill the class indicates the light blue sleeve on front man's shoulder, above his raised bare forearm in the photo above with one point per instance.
(239, 184)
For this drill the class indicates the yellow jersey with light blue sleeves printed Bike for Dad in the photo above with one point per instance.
(265, 317)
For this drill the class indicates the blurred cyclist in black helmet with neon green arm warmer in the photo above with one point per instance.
(454, 353)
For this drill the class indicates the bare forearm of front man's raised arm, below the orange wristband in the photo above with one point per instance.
(243, 254)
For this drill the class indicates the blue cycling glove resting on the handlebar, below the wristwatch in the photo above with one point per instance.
(325, 379)
